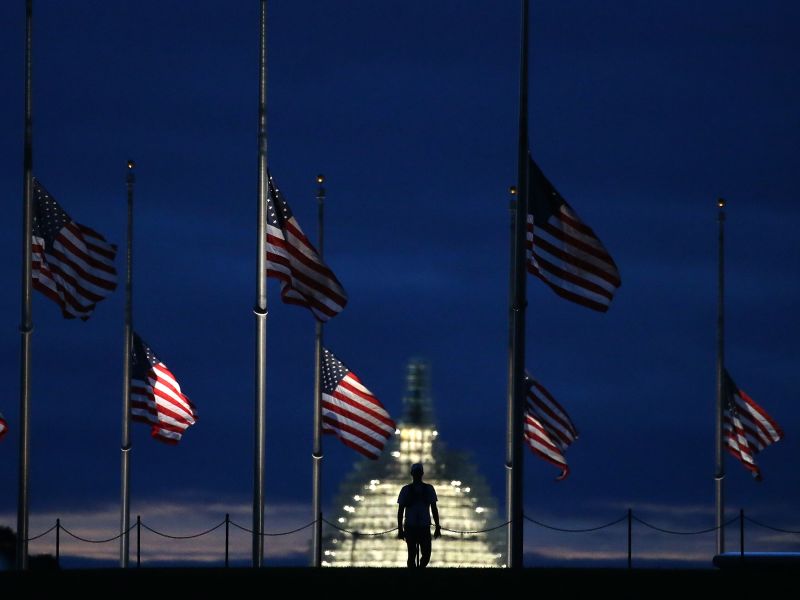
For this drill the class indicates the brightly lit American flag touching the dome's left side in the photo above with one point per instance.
(350, 411)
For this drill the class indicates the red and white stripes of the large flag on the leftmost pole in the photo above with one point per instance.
(77, 272)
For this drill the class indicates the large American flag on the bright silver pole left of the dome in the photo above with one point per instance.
(292, 258)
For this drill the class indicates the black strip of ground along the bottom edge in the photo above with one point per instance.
(379, 583)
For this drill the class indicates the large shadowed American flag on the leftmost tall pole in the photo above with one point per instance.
(72, 264)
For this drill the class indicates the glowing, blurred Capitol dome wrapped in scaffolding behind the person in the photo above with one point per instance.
(368, 498)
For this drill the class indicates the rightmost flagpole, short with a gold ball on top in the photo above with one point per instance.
(719, 476)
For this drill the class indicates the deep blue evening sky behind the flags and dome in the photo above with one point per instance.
(641, 114)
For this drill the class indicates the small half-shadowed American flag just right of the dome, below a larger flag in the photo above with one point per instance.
(548, 428)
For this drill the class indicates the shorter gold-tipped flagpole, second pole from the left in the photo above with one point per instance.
(125, 446)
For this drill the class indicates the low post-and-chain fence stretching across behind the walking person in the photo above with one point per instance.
(629, 518)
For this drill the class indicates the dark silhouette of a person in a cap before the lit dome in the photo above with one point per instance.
(418, 501)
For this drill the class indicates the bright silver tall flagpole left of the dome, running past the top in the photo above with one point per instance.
(260, 308)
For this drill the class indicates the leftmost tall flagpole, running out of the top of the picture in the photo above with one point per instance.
(26, 321)
